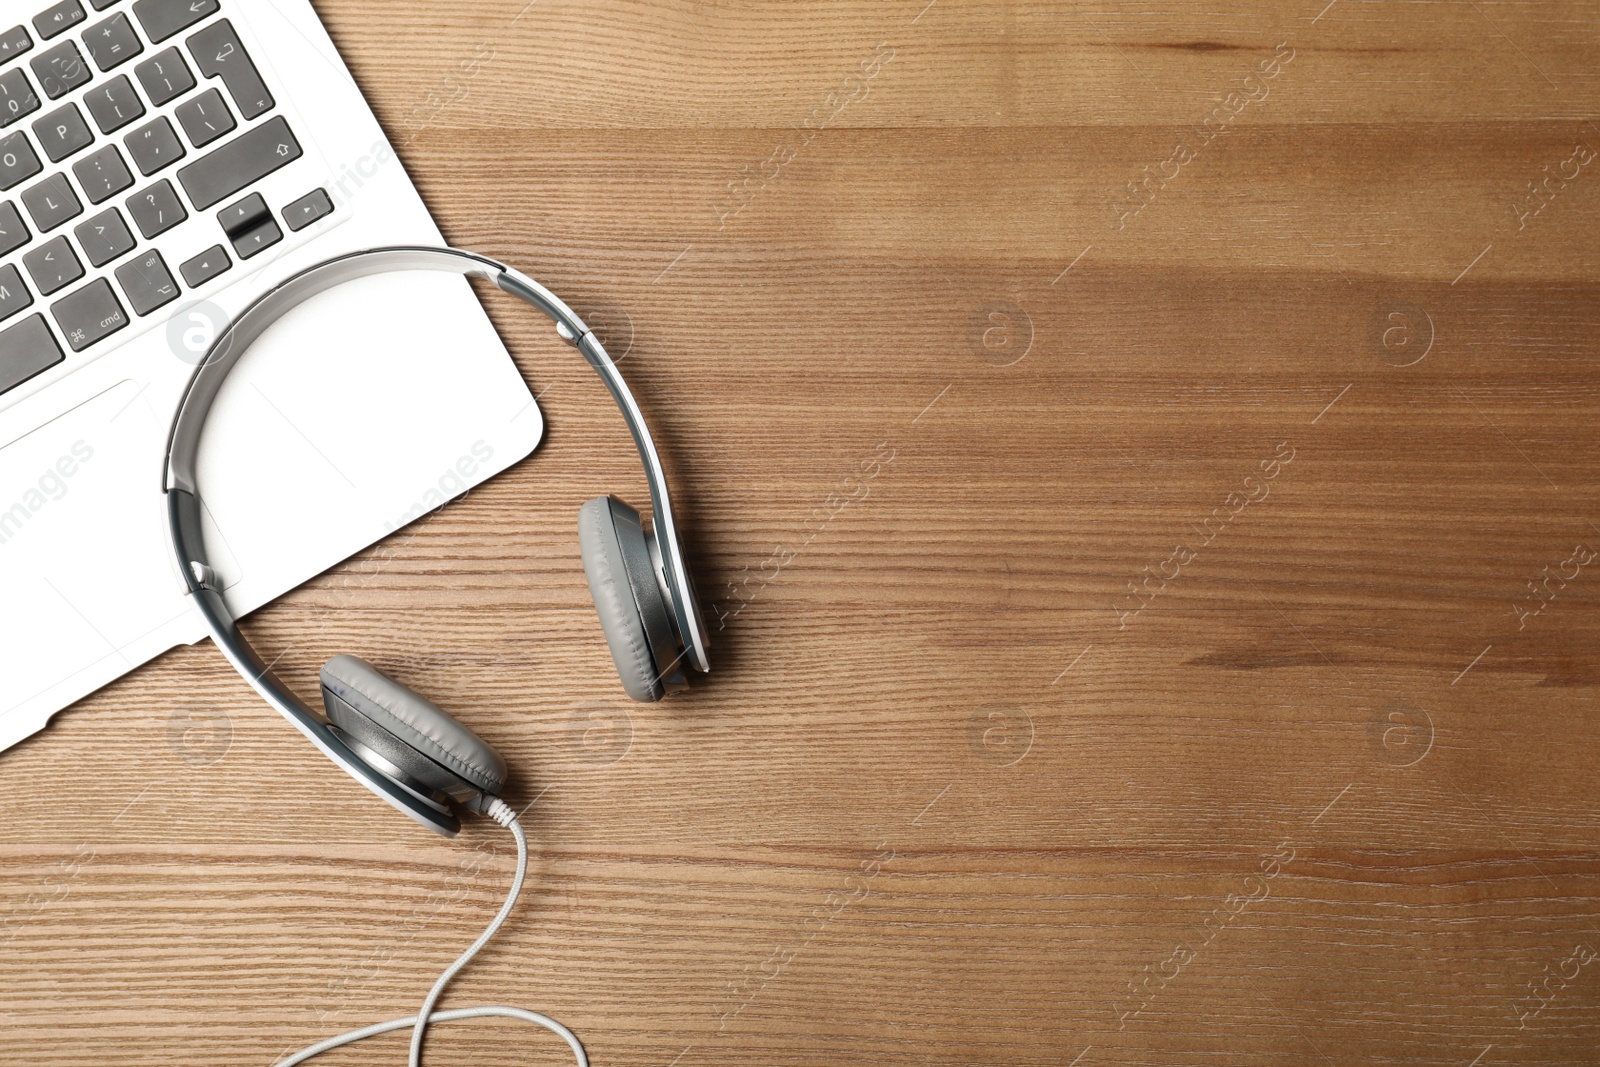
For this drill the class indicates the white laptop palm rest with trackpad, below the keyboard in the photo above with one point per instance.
(303, 433)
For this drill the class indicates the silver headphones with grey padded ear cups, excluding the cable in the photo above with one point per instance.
(393, 740)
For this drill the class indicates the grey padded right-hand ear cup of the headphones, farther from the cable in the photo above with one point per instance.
(633, 610)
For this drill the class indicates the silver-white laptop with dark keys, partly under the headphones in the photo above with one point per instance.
(162, 164)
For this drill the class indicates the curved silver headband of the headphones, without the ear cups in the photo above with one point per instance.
(183, 502)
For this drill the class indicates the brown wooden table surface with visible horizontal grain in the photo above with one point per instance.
(1143, 466)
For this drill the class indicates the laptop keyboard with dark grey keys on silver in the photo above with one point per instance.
(92, 175)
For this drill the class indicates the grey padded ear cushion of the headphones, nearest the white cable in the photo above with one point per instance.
(407, 729)
